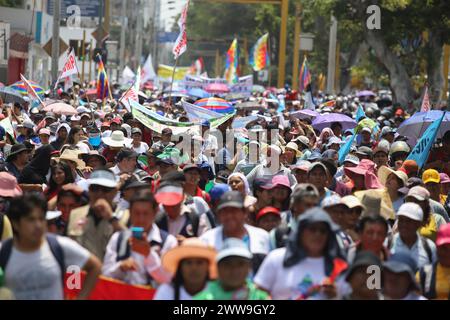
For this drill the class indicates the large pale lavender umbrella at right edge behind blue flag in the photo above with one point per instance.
(415, 126)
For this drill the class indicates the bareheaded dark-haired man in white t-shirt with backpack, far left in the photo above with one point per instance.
(35, 262)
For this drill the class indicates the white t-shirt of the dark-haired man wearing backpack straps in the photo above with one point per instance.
(37, 275)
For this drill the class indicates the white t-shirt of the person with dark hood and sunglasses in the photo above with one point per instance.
(289, 283)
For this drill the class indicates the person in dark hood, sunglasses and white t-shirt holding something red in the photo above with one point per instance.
(303, 269)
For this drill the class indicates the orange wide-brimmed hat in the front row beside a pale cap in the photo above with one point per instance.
(190, 248)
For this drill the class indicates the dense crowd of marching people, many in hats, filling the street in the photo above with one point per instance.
(262, 212)
